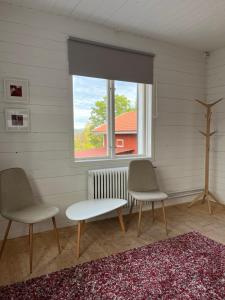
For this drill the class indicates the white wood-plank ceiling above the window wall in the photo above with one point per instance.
(198, 24)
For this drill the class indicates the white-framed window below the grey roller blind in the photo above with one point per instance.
(112, 119)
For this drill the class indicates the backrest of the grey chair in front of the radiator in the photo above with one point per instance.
(141, 176)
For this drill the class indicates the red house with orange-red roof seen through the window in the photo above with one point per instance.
(125, 136)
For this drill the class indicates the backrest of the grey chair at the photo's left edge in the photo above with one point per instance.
(15, 190)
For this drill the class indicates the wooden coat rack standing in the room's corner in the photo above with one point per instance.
(206, 195)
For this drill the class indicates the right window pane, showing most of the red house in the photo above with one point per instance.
(127, 138)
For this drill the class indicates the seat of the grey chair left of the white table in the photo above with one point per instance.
(32, 214)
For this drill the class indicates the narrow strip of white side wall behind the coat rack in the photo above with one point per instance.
(216, 90)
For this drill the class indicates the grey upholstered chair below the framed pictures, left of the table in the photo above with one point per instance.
(17, 204)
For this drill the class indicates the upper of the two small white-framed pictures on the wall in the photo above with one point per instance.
(16, 90)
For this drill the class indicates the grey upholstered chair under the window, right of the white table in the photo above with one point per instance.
(143, 186)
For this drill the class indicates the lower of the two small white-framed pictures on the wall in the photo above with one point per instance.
(17, 119)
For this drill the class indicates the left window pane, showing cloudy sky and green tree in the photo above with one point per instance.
(90, 117)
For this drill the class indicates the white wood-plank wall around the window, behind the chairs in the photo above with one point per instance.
(33, 46)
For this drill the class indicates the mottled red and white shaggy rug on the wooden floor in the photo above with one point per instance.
(189, 266)
